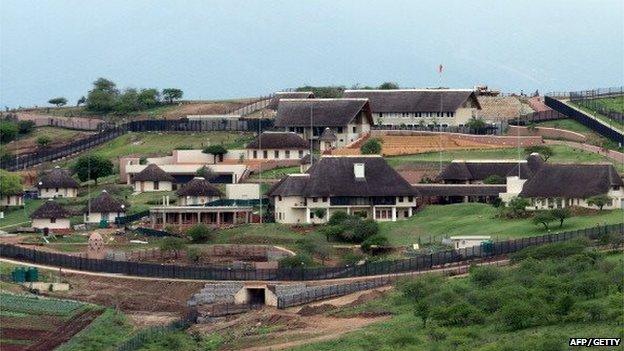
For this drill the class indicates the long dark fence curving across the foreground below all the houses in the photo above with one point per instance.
(414, 264)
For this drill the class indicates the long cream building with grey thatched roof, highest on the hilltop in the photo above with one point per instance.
(420, 107)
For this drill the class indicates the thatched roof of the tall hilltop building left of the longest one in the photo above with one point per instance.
(321, 112)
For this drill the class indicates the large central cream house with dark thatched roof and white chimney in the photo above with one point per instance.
(363, 185)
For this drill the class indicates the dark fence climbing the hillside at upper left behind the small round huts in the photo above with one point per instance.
(13, 163)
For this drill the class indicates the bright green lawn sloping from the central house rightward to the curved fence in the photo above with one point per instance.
(479, 219)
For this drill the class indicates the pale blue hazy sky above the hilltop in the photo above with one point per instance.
(230, 48)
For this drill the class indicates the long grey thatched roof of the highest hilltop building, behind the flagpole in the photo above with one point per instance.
(414, 100)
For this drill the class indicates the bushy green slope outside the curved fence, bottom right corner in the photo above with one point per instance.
(510, 319)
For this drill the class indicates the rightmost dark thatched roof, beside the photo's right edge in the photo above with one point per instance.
(572, 181)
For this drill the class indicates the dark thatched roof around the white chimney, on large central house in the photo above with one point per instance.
(334, 176)
